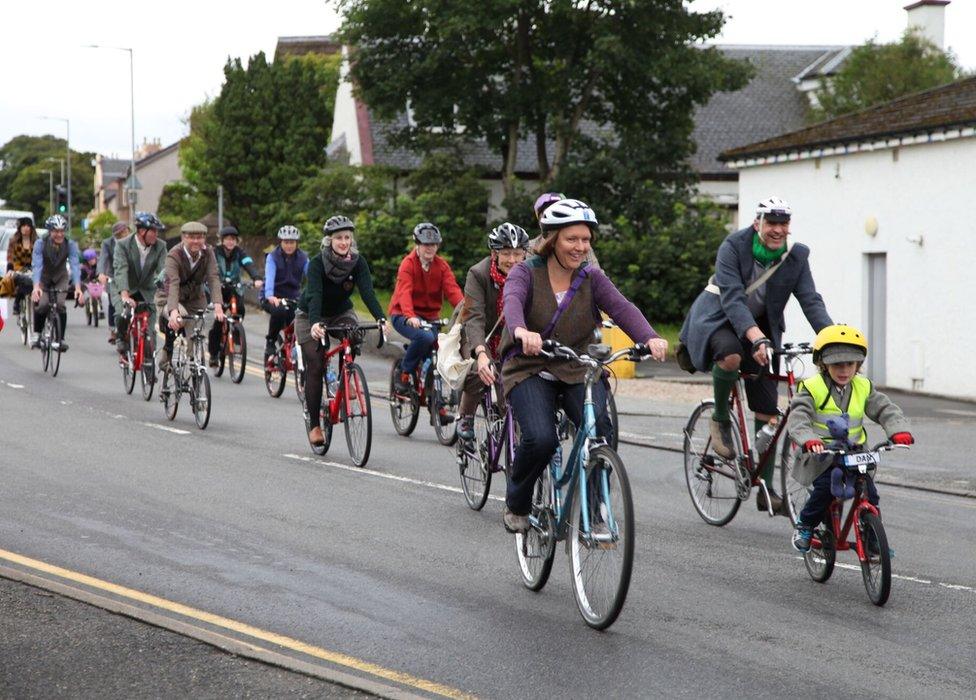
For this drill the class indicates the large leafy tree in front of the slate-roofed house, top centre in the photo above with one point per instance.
(504, 70)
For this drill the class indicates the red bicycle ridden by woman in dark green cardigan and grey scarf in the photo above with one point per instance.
(346, 402)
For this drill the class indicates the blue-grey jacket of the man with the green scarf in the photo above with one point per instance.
(733, 269)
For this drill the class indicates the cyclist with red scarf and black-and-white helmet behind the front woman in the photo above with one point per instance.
(481, 334)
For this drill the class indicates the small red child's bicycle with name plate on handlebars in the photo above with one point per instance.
(870, 540)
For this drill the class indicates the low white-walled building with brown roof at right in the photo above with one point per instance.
(884, 199)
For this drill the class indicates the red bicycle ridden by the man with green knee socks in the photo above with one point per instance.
(717, 485)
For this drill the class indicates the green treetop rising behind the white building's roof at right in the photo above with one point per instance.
(876, 73)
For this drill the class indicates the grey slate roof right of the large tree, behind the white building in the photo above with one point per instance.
(769, 105)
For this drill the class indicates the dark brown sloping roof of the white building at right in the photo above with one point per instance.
(948, 106)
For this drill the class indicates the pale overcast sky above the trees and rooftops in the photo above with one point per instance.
(181, 47)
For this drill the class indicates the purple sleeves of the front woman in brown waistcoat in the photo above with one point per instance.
(608, 299)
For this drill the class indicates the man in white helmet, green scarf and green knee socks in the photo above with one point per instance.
(727, 330)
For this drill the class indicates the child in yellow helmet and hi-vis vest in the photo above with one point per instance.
(838, 389)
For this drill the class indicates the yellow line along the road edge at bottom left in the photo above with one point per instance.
(239, 627)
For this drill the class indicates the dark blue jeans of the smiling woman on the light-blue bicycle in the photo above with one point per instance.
(534, 402)
